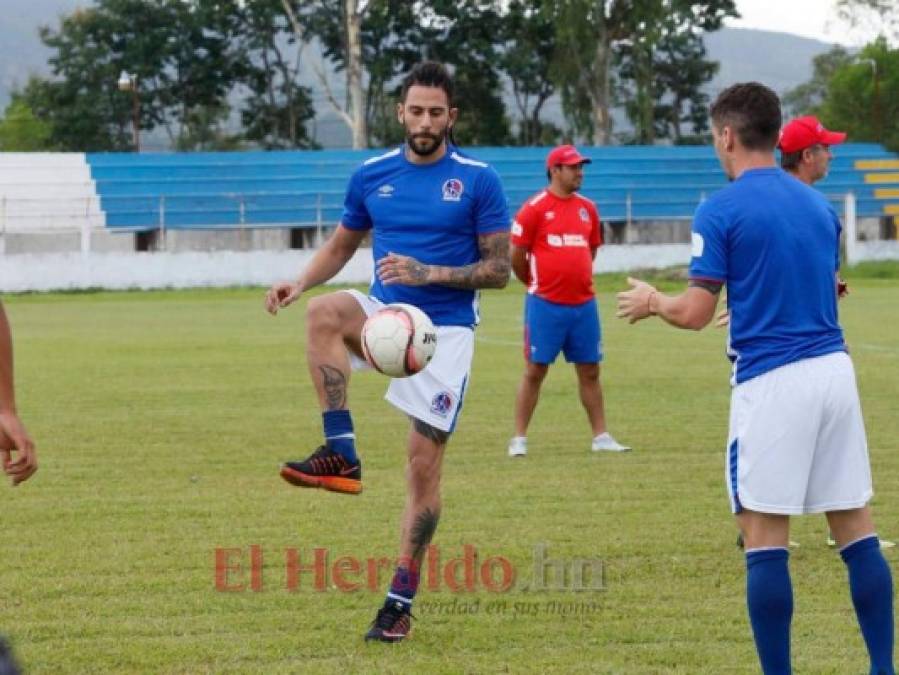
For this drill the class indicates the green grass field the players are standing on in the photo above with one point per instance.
(161, 419)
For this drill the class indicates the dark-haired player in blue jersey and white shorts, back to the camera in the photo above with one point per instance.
(796, 442)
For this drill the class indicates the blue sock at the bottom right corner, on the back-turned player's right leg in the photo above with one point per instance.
(871, 586)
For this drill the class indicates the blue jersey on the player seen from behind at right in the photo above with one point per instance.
(774, 242)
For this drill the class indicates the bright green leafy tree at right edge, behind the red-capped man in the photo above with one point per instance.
(864, 100)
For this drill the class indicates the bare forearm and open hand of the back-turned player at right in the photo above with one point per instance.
(693, 309)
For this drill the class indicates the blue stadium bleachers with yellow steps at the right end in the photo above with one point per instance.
(297, 188)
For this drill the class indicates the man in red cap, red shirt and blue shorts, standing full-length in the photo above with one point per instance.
(554, 240)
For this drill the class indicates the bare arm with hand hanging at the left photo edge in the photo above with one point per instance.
(12, 432)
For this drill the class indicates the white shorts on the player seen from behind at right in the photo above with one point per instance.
(797, 440)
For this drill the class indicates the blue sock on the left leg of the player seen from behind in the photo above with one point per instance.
(769, 596)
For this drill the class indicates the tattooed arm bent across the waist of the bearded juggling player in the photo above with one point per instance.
(491, 271)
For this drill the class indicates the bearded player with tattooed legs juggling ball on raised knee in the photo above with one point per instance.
(440, 231)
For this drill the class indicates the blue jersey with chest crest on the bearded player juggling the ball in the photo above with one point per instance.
(433, 213)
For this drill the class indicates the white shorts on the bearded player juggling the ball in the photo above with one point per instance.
(434, 395)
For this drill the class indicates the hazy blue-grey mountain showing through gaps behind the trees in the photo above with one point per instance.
(780, 60)
